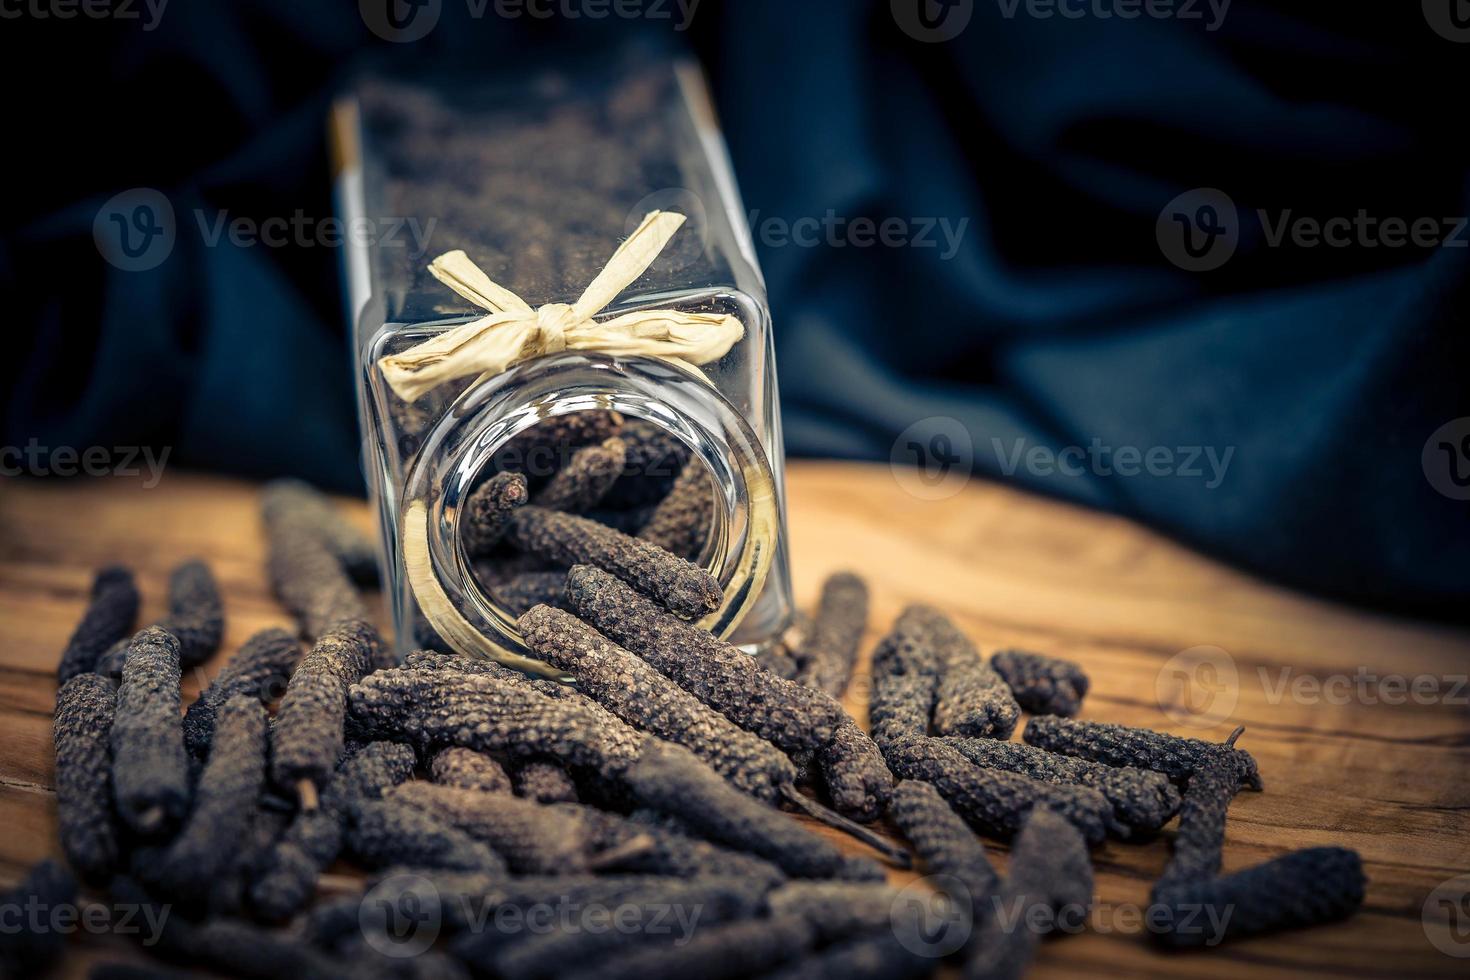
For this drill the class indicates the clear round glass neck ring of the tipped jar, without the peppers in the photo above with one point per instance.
(458, 452)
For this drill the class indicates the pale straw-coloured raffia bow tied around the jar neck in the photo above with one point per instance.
(515, 331)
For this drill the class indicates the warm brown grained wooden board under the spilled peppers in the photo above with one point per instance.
(1341, 765)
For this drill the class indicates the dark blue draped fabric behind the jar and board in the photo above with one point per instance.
(1058, 323)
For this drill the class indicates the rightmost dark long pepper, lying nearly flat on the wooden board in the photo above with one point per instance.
(1303, 888)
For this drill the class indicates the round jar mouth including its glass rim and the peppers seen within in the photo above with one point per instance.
(606, 439)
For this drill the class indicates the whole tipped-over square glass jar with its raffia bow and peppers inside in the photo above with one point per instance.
(649, 409)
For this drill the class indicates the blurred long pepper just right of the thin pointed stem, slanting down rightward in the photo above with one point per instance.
(946, 844)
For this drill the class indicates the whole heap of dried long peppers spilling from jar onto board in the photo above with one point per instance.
(659, 779)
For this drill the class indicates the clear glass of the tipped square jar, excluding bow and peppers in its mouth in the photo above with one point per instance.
(539, 181)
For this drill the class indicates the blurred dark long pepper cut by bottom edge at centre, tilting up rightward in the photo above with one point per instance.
(731, 950)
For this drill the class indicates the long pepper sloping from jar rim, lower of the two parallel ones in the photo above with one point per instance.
(646, 700)
